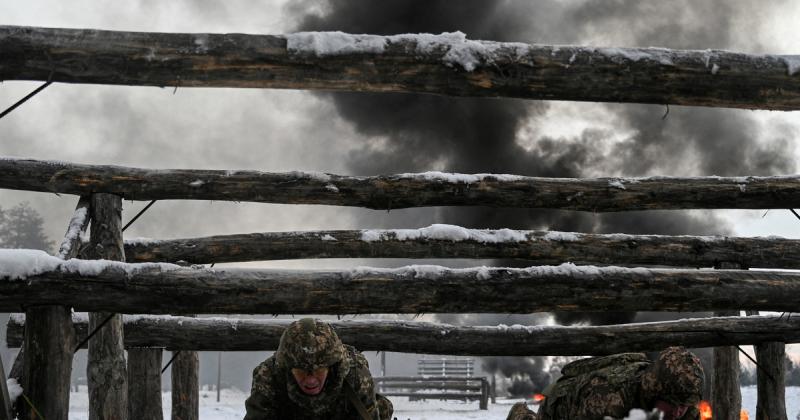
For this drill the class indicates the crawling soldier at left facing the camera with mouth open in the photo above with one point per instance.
(313, 376)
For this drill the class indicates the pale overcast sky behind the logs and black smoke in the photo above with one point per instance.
(274, 130)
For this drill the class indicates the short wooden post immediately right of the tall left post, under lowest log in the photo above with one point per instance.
(144, 383)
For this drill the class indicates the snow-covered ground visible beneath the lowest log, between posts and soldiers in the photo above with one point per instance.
(231, 407)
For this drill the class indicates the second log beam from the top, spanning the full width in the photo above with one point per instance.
(405, 190)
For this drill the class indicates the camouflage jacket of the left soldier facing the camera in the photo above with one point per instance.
(275, 396)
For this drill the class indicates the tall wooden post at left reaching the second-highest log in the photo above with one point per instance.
(106, 373)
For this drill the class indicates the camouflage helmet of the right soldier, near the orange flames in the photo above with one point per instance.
(675, 377)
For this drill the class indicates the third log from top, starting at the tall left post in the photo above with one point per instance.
(446, 241)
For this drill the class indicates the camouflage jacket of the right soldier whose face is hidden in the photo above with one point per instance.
(600, 387)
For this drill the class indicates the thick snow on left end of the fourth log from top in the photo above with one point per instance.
(19, 264)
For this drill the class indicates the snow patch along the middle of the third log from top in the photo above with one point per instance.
(444, 232)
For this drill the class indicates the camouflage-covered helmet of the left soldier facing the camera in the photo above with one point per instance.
(309, 344)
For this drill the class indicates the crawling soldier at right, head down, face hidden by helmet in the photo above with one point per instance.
(611, 386)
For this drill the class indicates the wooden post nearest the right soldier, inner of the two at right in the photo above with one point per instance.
(726, 392)
